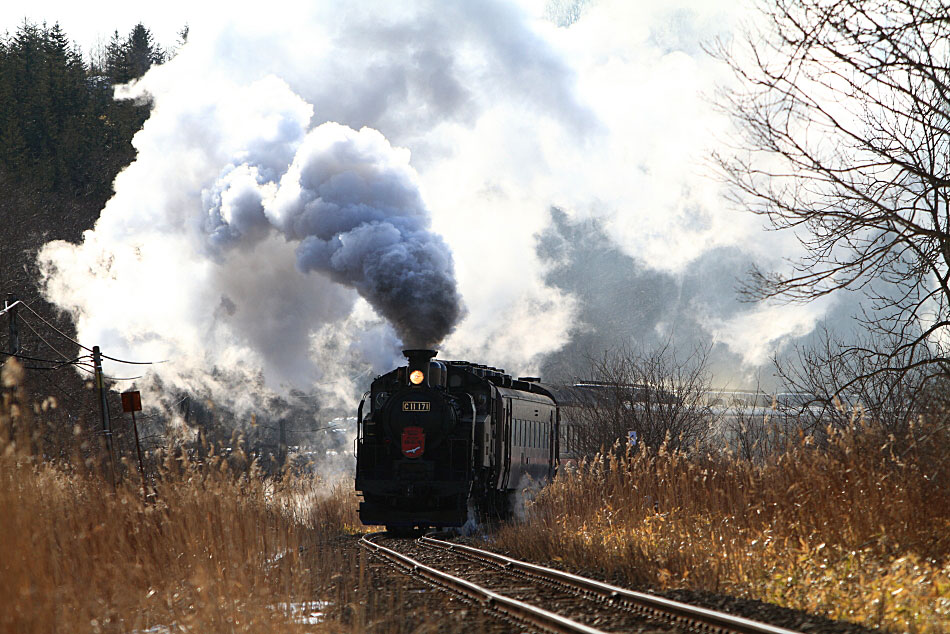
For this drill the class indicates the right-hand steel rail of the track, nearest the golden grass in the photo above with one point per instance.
(666, 608)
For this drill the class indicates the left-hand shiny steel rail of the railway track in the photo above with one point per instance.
(519, 610)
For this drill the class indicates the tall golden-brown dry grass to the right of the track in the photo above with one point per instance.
(857, 530)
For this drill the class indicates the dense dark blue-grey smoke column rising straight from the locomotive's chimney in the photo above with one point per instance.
(352, 203)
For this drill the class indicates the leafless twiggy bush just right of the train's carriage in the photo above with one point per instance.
(653, 393)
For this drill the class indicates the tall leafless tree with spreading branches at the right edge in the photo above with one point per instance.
(844, 109)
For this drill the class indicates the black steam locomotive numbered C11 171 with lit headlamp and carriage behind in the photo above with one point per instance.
(438, 437)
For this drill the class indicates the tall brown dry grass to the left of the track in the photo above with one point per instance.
(219, 550)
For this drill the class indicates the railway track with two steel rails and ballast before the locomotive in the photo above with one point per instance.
(572, 604)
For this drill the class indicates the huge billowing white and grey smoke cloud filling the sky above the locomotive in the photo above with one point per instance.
(317, 185)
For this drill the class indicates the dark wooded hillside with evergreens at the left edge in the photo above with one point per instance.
(63, 140)
